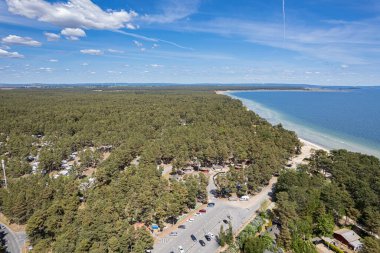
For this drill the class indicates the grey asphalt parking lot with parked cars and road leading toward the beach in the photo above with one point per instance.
(239, 213)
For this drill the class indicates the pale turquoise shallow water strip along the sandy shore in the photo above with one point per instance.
(318, 136)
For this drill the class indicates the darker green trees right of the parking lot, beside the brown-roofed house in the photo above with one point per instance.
(310, 205)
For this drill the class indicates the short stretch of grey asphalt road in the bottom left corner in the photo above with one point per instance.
(13, 241)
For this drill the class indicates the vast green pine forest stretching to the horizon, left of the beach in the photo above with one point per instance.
(70, 214)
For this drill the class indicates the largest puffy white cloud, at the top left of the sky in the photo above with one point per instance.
(73, 13)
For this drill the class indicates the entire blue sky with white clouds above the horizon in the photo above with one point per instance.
(323, 42)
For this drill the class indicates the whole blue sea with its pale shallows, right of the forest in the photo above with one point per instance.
(334, 119)
